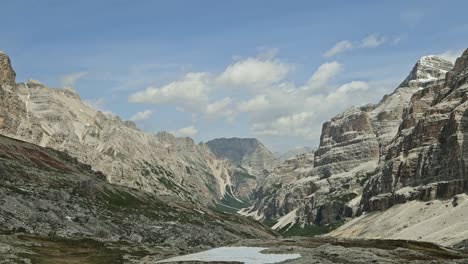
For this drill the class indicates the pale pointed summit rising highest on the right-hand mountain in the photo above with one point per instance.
(427, 69)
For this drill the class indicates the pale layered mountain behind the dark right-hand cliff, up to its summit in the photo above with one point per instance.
(353, 145)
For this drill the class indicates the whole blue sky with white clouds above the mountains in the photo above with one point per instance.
(273, 70)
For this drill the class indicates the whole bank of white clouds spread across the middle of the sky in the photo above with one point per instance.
(270, 105)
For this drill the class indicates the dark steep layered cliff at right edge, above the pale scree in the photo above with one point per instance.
(427, 159)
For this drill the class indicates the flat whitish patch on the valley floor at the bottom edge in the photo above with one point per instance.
(247, 255)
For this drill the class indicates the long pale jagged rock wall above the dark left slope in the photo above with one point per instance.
(57, 118)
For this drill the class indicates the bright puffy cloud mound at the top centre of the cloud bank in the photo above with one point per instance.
(254, 72)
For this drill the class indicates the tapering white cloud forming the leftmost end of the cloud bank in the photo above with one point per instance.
(191, 91)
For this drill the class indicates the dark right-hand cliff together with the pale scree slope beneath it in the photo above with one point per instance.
(425, 161)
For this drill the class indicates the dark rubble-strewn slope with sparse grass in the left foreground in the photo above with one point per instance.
(49, 193)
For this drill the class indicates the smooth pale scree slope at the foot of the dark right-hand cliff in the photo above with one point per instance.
(435, 221)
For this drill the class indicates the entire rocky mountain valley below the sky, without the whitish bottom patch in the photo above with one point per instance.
(387, 184)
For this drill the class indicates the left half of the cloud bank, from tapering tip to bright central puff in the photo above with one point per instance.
(193, 92)
